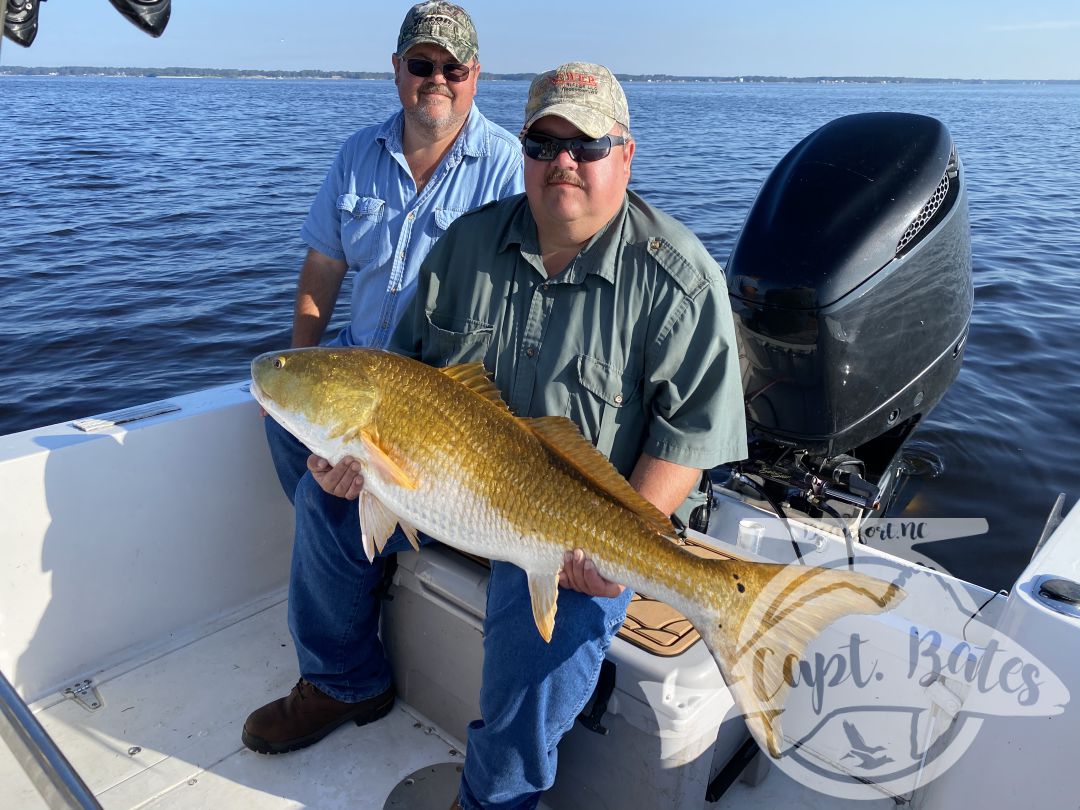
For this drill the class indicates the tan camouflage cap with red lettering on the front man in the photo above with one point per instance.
(587, 96)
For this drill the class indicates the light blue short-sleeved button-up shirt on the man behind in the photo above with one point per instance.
(369, 214)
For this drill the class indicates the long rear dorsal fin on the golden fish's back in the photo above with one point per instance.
(563, 439)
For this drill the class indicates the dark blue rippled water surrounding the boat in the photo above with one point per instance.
(151, 246)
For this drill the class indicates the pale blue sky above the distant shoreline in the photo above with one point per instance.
(965, 39)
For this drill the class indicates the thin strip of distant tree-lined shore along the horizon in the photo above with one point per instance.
(182, 73)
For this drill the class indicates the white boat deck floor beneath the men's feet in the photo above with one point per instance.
(168, 736)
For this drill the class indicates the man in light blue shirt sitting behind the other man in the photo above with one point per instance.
(390, 195)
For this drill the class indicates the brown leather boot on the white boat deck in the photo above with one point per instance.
(306, 717)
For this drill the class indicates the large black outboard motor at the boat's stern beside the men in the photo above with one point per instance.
(853, 293)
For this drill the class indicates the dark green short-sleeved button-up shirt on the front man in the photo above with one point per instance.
(633, 341)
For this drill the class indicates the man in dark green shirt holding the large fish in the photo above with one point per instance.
(582, 301)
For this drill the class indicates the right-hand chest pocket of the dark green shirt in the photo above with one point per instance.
(609, 400)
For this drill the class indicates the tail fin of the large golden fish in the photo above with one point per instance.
(759, 633)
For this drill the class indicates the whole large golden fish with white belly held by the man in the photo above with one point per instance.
(443, 455)
